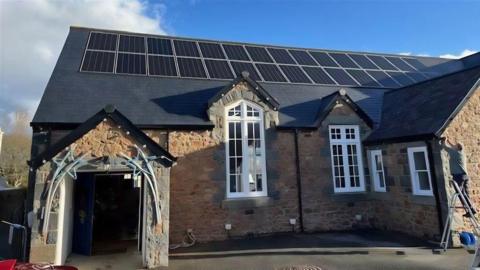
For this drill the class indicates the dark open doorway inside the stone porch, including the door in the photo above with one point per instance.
(106, 214)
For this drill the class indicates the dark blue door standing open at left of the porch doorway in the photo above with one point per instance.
(83, 214)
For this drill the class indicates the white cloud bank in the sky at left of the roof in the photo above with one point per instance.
(32, 34)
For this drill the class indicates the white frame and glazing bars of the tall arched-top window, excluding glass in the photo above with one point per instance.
(244, 119)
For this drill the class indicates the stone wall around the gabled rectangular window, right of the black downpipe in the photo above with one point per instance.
(324, 210)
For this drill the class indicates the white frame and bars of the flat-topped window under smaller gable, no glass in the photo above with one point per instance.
(344, 142)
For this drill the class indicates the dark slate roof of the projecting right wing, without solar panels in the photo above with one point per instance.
(422, 110)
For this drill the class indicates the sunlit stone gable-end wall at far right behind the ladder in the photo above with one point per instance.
(465, 128)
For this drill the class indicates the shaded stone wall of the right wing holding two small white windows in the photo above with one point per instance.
(398, 209)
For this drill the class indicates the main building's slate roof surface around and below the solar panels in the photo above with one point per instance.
(71, 96)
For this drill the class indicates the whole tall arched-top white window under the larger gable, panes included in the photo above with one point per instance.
(245, 150)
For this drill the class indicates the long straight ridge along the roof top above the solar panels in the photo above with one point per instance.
(260, 44)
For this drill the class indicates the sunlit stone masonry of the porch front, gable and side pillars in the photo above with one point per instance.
(106, 140)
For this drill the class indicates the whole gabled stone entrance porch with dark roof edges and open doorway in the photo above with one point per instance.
(109, 150)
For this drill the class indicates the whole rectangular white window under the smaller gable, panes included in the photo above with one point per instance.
(346, 154)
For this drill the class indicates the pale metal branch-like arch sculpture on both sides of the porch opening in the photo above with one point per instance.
(141, 164)
